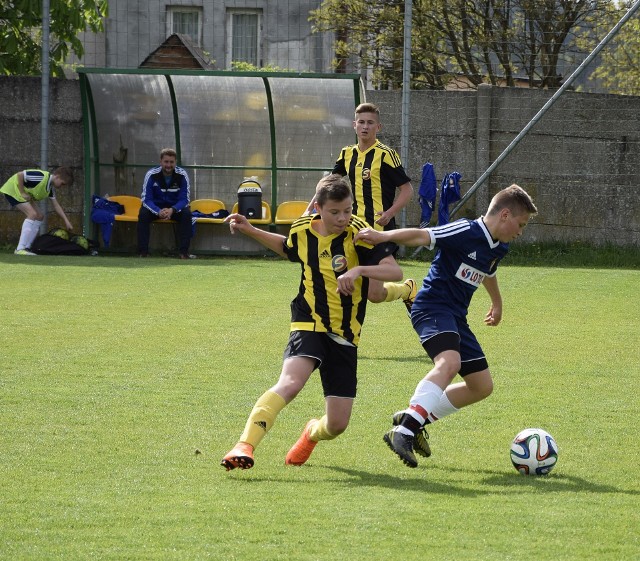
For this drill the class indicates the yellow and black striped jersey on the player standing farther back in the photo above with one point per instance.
(375, 174)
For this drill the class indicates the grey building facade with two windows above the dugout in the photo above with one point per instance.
(260, 33)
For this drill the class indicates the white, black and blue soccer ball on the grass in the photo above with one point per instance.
(534, 452)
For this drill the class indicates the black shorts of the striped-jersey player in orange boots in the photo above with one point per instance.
(338, 363)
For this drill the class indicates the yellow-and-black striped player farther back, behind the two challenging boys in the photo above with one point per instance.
(376, 173)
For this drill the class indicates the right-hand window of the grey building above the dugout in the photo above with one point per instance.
(244, 33)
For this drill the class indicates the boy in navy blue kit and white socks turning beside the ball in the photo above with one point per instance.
(468, 253)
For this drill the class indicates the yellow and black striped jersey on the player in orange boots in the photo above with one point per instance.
(318, 306)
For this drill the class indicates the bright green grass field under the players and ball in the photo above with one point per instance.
(124, 381)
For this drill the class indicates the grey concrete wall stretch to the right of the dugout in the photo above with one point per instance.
(580, 162)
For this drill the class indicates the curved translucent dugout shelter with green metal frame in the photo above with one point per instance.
(285, 129)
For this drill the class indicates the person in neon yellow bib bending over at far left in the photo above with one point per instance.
(24, 189)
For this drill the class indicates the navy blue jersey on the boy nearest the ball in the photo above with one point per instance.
(466, 254)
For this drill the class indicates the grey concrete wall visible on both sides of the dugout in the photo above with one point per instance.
(581, 162)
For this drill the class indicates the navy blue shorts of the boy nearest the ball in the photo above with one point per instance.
(442, 331)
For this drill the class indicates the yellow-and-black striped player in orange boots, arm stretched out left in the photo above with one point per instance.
(326, 317)
